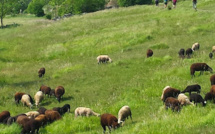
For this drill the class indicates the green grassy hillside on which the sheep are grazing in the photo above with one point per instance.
(68, 50)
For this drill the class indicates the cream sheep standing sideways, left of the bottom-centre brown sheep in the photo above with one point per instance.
(83, 111)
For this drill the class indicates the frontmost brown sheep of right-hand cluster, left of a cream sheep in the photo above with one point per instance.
(172, 103)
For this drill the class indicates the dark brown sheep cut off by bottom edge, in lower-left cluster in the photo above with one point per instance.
(31, 126)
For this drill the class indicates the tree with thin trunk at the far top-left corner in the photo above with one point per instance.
(5, 7)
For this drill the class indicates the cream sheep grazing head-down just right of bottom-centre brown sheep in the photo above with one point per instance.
(123, 113)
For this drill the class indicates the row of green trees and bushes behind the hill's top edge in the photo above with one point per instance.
(55, 8)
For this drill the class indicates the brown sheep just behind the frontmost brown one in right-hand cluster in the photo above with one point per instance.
(170, 92)
